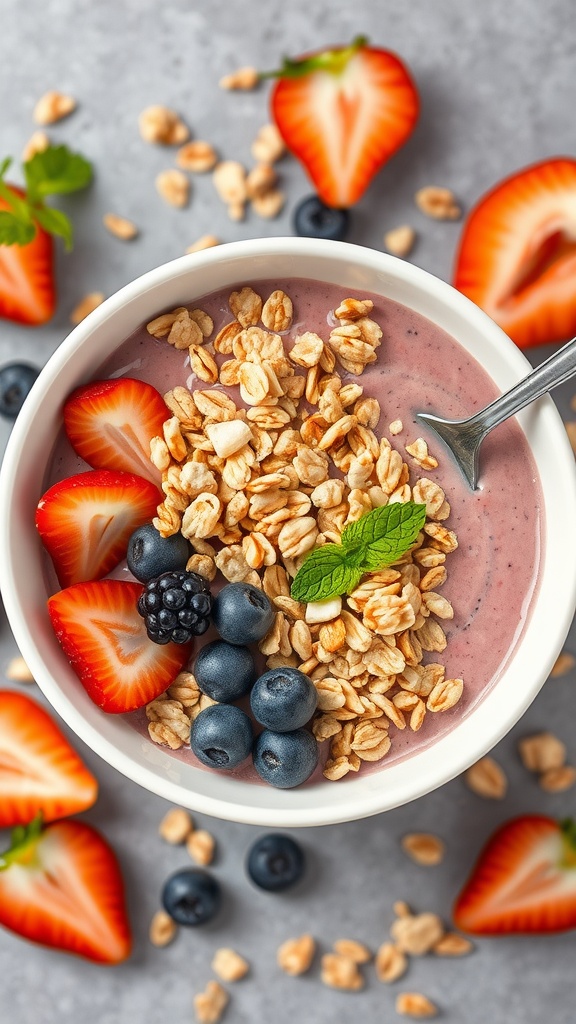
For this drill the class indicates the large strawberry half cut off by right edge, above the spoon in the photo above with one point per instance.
(517, 258)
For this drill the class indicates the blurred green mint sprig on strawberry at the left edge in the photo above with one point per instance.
(52, 173)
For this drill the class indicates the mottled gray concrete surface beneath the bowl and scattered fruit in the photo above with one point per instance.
(499, 92)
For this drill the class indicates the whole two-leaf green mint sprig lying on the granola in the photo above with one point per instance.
(377, 540)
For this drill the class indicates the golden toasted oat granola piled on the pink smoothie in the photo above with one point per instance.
(256, 484)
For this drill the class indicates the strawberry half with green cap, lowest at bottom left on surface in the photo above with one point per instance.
(62, 887)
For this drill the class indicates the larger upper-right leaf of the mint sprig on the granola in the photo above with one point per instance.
(385, 535)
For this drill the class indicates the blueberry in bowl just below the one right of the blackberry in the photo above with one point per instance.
(225, 671)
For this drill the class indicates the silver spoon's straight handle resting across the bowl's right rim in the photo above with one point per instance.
(557, 369)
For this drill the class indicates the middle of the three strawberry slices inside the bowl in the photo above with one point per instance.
(87, 521)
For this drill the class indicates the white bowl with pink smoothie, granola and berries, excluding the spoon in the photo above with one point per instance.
(256, 404)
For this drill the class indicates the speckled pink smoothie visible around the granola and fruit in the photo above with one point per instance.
(493, 575)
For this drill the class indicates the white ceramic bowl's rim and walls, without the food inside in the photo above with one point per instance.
(24, 589)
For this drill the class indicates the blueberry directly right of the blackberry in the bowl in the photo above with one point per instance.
(242, 614)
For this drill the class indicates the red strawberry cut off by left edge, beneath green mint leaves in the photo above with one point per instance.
(27, 276)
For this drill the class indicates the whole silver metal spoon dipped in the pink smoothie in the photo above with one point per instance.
(464, 438)
